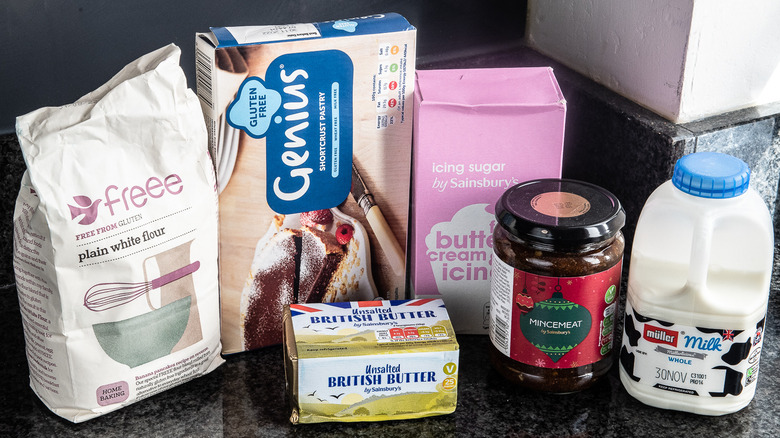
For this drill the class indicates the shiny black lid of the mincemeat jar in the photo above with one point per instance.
(560, 212)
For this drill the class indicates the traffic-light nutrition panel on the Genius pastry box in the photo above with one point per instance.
(389, 84)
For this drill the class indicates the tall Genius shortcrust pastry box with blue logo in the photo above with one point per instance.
(290, 109)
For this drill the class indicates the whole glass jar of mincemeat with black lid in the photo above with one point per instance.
(556, 270)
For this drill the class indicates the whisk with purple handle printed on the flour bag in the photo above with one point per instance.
(104, 296)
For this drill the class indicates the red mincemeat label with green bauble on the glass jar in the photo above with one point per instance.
(553, 322)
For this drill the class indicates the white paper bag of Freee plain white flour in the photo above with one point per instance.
(115, 242)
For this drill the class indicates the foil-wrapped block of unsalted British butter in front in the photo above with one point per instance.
(370, 361)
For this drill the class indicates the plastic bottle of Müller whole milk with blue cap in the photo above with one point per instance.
(698, 287)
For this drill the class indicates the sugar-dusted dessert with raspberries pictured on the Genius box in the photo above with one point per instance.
(311, 257)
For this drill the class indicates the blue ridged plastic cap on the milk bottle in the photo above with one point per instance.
(711, 175)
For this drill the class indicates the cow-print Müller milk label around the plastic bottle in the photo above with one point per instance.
(703, 362)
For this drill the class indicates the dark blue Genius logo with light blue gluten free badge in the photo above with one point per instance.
(303, 109)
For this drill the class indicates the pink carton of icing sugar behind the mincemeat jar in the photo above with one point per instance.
(477, 132)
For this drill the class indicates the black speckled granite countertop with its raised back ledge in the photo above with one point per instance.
(611, 142)
